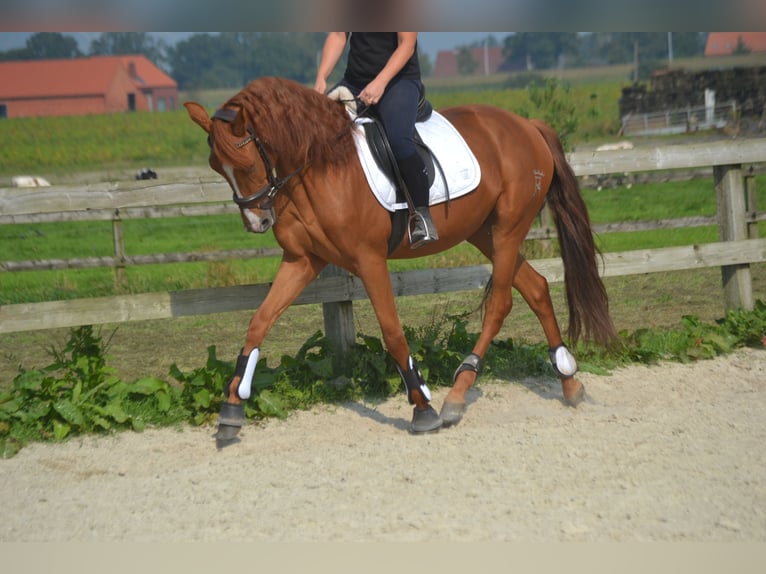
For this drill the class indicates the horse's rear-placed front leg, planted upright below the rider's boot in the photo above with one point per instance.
(377, 282)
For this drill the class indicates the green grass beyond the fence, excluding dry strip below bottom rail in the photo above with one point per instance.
(58, 145)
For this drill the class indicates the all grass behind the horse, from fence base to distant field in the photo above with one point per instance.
(60, 147)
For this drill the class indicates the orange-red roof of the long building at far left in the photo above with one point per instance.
(76, 76)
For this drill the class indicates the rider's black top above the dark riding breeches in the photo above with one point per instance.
(368, 54)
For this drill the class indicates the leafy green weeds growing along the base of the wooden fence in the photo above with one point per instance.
(79, 394)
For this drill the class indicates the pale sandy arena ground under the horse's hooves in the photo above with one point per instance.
(672, 452)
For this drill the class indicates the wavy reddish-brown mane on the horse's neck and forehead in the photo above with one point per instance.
(296, 124)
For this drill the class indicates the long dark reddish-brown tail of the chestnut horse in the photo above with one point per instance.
(585, 292)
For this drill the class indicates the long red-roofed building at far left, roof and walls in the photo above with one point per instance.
(79, 86)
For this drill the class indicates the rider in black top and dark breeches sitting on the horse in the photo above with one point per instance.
(383, 71)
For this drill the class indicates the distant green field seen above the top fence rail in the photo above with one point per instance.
(55, 146)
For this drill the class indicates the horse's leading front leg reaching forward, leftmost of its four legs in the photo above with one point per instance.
(292, 277)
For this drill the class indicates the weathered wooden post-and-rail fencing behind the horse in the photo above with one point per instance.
(737, 218)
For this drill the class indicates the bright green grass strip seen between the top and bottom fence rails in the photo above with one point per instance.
(152, 236)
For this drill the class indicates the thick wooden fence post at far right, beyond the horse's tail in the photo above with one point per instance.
(730, 198)
